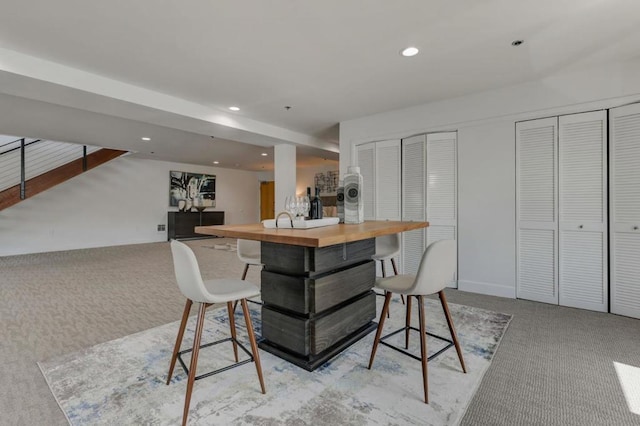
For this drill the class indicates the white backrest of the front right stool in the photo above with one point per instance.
(437, 268)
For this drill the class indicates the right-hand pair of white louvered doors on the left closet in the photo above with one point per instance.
(429, 192)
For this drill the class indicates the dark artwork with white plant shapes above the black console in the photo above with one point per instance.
(191, 190)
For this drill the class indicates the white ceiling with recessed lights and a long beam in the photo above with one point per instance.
(114, 71)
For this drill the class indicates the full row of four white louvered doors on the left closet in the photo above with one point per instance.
(412, 179)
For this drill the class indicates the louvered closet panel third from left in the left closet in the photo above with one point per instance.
(413, 200)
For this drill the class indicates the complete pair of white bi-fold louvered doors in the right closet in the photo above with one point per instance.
(561, 210)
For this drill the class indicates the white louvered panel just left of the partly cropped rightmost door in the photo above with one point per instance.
(583, 259)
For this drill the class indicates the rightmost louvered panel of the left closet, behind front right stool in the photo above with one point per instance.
(441, 190)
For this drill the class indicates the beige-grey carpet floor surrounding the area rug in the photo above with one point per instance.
(555, 365)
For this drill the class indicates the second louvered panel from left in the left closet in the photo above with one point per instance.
(387, 177)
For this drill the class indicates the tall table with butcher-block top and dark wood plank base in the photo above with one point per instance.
(316, 286)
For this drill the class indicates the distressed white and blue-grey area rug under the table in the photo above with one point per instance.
(123, 381)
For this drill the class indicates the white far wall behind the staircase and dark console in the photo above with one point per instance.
(120, 202)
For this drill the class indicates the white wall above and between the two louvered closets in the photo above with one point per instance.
(486, 155)
